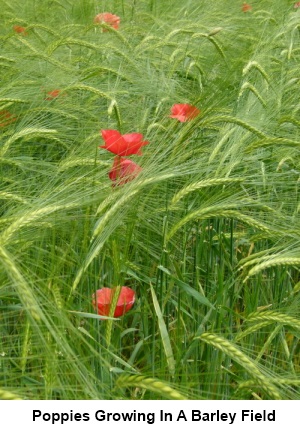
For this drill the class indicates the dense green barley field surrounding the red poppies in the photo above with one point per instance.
(207, 235)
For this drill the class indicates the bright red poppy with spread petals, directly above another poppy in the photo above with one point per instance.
(123, 145)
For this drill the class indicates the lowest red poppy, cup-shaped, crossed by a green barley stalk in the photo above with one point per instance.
(104, 298)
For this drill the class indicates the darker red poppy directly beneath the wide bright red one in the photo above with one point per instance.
(123, 170)
